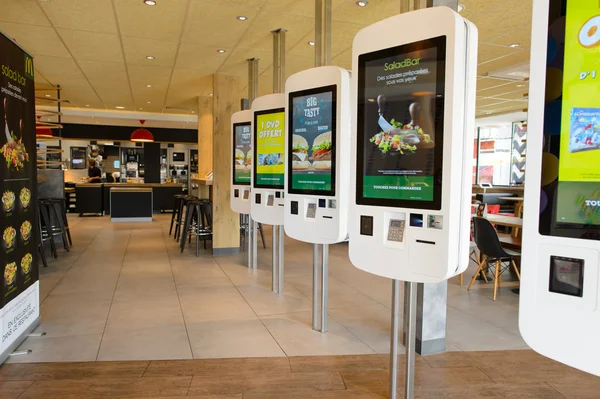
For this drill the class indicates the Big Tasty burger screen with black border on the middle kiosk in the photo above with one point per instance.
(312, 141)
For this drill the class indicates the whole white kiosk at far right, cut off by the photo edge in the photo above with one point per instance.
(558, 306)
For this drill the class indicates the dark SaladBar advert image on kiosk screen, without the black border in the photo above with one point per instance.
(398, 128)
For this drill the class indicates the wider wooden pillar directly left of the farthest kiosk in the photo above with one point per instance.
(226, 223)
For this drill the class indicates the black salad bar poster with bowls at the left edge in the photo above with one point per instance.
(18, 214)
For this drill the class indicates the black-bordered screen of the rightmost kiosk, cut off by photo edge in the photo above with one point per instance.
(570, 199)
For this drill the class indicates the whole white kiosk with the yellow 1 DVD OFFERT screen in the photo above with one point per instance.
(268, 171)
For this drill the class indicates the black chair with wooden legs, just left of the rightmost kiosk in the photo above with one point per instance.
(494, 256)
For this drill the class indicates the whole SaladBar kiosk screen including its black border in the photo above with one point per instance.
(400, 125)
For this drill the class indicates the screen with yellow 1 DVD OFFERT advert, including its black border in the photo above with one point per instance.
(269, 148)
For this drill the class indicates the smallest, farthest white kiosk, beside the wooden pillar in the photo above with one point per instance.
(241, 158)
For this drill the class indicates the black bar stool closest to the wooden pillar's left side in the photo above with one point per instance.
(198, 222)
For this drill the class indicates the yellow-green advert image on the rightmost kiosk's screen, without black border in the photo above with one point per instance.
(578, 195)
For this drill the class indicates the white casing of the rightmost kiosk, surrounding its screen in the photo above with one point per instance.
(563, 327)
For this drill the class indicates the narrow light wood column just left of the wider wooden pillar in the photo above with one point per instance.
(205, 142)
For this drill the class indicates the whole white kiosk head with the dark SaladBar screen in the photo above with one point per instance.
(414, 97)
